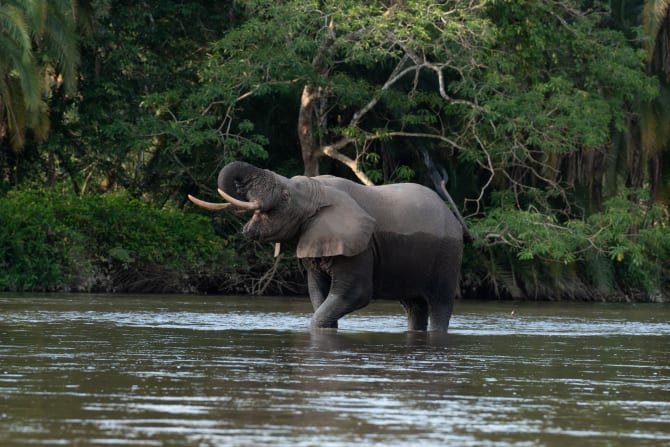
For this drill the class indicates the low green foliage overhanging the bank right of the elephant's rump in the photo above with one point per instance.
(620, 253)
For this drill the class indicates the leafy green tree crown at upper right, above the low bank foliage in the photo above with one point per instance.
(556, 85)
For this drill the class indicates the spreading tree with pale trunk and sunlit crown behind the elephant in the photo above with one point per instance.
(365, 72)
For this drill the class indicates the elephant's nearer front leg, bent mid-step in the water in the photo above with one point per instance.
(350, 289)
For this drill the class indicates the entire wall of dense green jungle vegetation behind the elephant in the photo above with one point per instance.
(552, 119)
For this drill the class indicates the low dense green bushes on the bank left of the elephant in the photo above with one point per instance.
(50, 241)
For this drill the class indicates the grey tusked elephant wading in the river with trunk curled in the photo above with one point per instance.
(397, 241)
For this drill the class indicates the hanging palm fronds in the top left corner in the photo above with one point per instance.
(38, 54)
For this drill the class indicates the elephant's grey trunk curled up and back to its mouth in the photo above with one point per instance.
(247, 183)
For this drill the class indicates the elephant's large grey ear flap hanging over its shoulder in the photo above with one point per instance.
(340, 227)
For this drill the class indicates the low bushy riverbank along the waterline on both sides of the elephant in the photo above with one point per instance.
(114, 243)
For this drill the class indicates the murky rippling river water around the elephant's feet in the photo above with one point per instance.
(225, 371)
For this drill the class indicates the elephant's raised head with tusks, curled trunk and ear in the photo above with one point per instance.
(321, 219)
